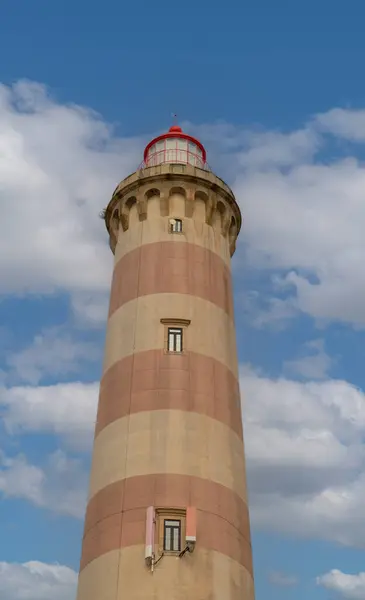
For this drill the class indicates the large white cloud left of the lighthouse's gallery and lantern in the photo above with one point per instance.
(59, 166)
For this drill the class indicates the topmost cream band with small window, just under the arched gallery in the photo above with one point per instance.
(155, 229)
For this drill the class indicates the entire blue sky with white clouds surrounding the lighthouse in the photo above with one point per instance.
(275, 92)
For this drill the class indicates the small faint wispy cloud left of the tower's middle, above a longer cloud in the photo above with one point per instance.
(52, 353)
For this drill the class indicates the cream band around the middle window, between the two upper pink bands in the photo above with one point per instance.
(136, 327)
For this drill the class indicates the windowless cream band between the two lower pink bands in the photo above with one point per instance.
(168, 441)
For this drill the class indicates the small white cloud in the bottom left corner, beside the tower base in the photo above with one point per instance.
(37, 581)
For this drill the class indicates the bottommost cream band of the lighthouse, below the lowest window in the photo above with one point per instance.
(205, 574)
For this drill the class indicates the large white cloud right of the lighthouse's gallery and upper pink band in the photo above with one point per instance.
(302, 214)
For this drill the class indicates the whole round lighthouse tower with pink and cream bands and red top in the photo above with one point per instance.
(167, 515)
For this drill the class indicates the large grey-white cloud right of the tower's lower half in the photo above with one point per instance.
(306, 457)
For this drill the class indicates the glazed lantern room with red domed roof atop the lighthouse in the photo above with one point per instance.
(177, 147)
